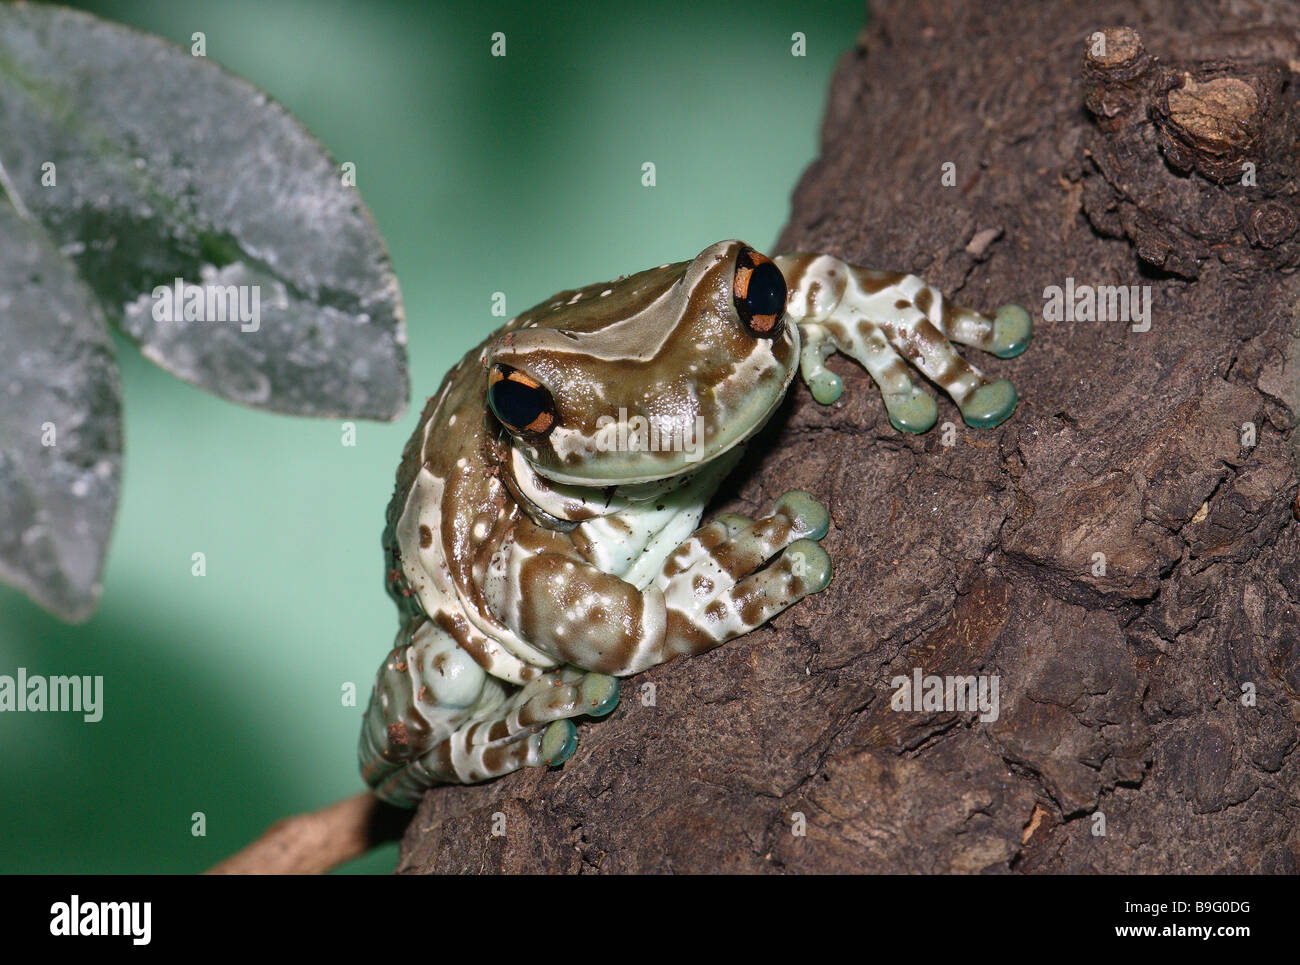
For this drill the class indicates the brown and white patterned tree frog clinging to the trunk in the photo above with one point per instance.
(545, 536)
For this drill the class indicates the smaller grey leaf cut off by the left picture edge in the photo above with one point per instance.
(60, 425)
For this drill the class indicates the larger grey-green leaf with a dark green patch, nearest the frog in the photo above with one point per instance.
(167, 167)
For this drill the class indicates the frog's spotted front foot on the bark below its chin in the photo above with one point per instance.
(718, 585)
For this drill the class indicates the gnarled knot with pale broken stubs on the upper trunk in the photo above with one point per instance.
(1197, 157)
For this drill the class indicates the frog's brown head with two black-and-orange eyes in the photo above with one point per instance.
(649, 377)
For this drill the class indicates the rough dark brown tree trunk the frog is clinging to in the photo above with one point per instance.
(1121, 691)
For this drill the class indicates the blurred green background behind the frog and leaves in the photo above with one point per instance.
(223, 694)
